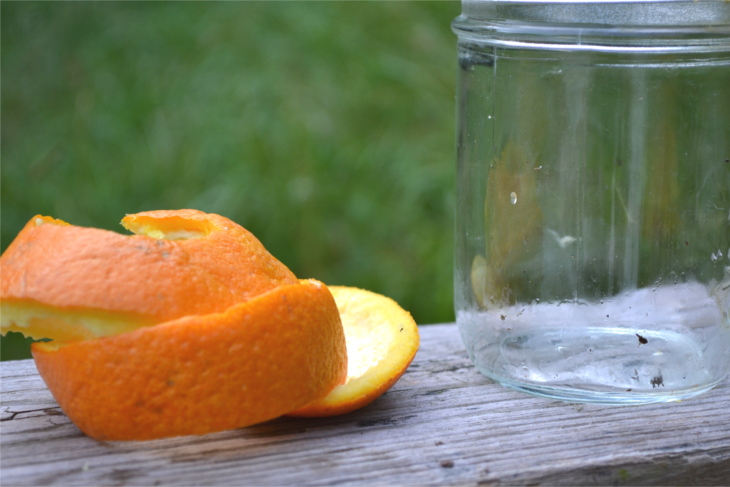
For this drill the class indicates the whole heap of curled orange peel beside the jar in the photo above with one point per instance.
(189, 326)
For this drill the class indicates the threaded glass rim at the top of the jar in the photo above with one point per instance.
(618, 25)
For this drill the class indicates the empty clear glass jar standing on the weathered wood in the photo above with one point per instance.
(593, 200)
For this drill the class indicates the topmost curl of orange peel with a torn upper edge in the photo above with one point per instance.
(180, 263)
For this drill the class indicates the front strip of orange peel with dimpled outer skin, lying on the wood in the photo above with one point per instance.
(253, 362)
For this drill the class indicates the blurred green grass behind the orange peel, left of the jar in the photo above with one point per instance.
(325, 128)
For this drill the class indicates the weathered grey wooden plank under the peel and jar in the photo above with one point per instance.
(442, 423)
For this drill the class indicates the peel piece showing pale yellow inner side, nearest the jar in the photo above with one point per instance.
(382, 340)
